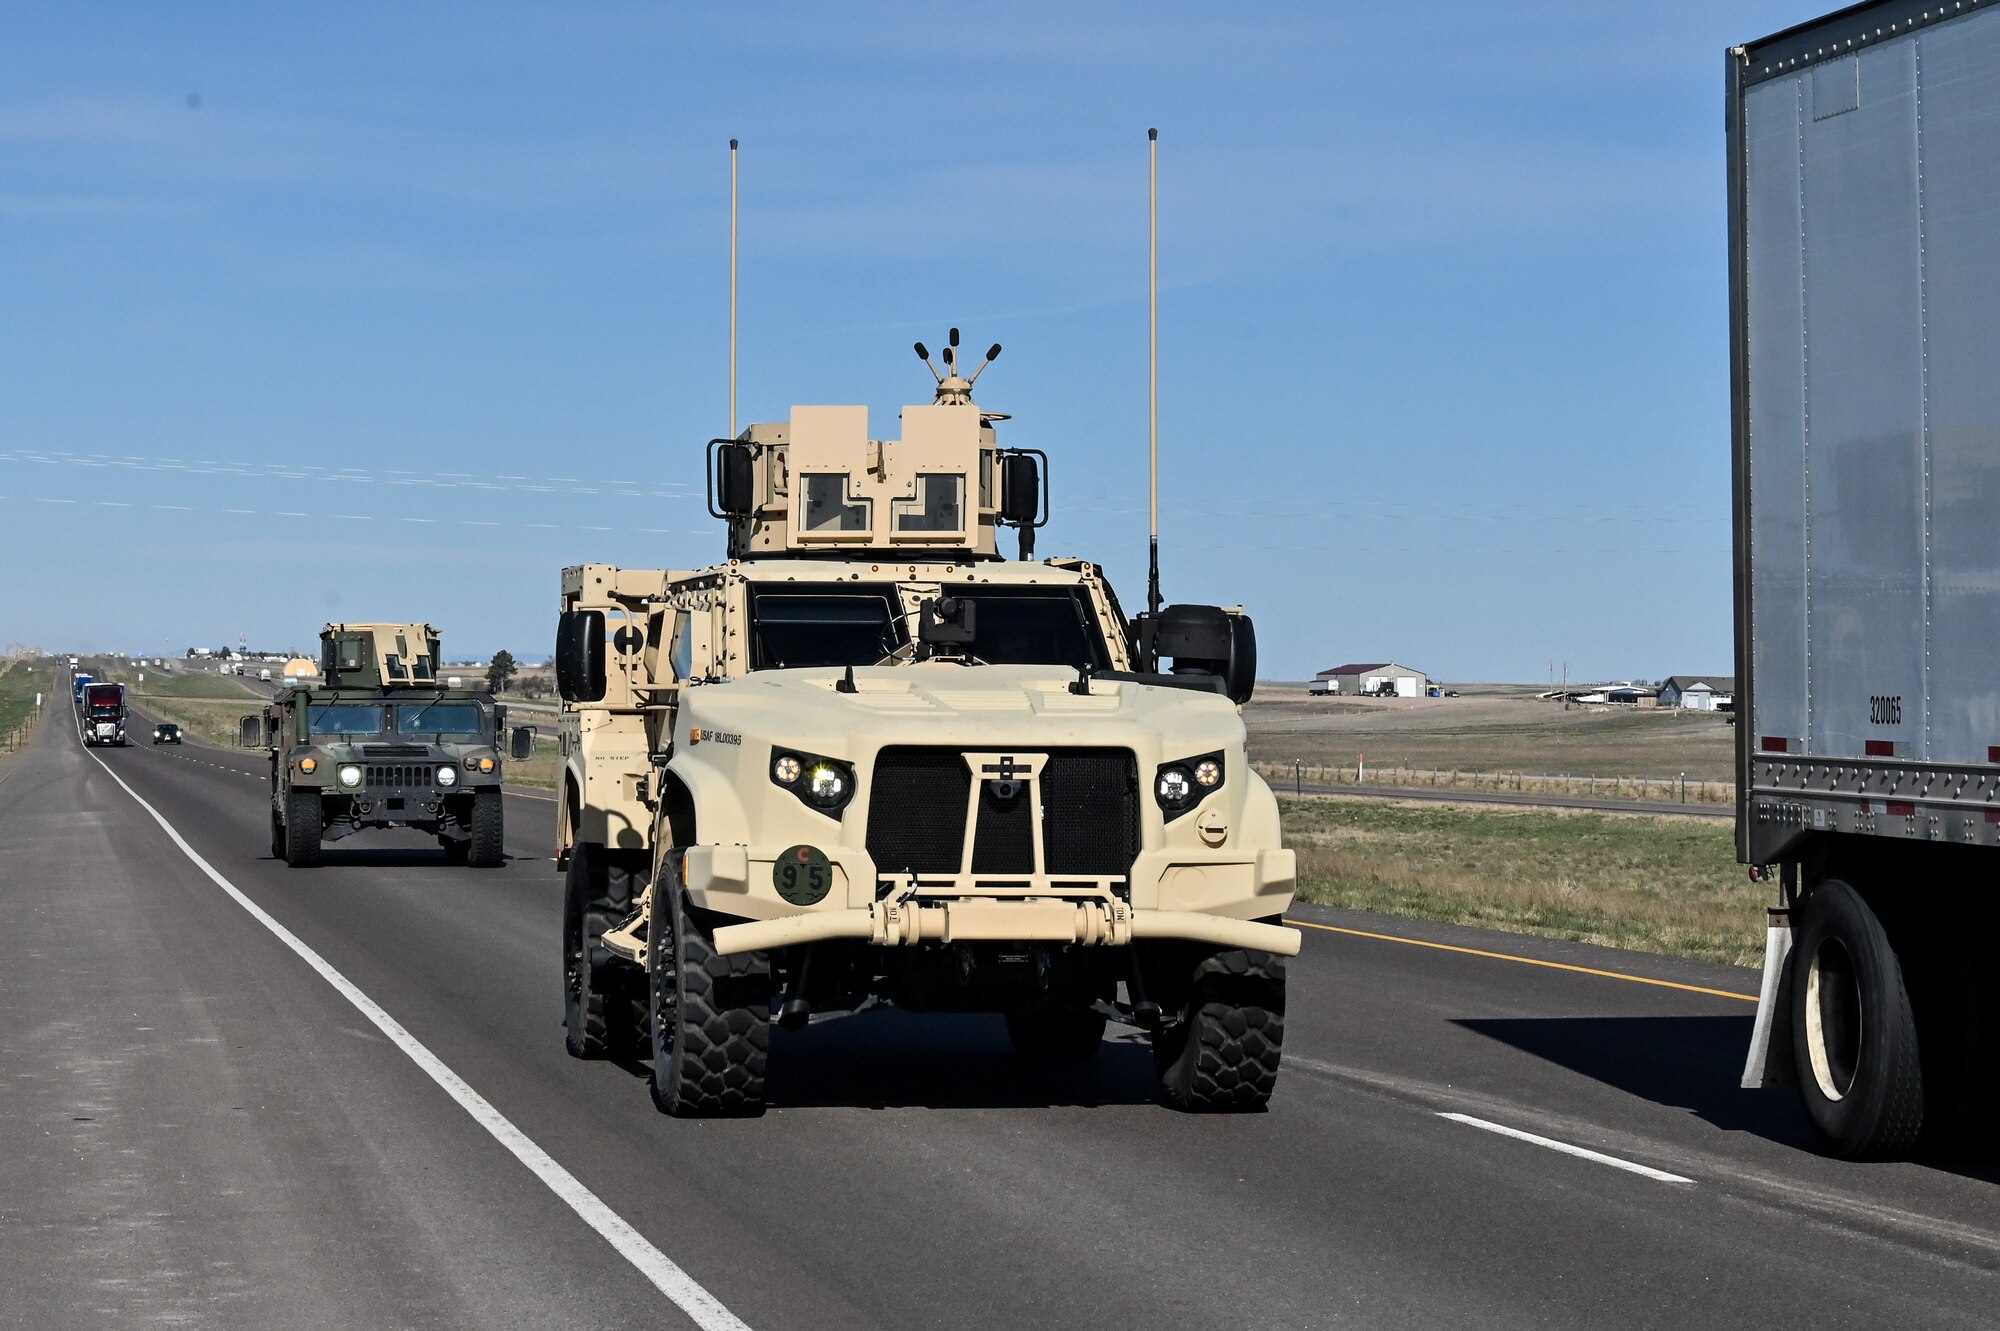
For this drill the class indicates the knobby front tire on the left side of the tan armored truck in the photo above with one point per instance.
(711, 1016)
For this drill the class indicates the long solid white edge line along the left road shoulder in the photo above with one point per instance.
(681, 1288)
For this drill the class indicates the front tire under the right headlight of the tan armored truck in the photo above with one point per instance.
(1223, 1054)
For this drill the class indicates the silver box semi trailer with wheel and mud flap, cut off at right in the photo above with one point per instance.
(1865, 311)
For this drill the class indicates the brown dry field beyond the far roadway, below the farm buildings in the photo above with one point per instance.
(1487, 730)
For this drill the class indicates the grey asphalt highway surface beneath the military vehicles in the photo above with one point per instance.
(207, 1124)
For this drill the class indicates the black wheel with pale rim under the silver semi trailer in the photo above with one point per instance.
(1855, 1030)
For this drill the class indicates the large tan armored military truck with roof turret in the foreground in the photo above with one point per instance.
(873, 760)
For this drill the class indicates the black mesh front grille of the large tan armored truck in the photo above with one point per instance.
(1091, 804)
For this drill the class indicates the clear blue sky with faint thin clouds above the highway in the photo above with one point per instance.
(393, 313)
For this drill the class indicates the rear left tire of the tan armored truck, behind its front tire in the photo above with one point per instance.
(603, 996)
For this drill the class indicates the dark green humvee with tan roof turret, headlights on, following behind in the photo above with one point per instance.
(385, 742)
